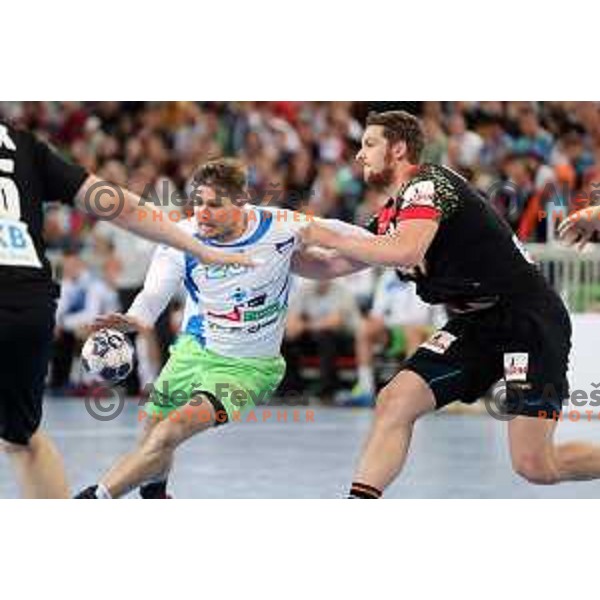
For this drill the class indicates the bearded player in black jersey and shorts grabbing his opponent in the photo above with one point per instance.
(507, 322)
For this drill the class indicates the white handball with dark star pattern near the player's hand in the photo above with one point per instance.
(108, 354)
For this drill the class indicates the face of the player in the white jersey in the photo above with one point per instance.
(218, 217)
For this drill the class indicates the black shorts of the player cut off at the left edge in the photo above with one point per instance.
(25, 340)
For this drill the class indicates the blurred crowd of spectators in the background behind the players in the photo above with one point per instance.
(528, 158)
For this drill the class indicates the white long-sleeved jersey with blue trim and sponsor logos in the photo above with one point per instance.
(232, 310)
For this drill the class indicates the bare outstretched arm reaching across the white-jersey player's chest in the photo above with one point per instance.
(95, 196)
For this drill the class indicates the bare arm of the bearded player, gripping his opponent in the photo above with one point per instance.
(406, 247)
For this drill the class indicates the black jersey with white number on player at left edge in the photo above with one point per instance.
(30, 174)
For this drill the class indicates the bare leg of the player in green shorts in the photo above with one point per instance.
(154, 454)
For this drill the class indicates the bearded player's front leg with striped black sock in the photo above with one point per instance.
(399, 405)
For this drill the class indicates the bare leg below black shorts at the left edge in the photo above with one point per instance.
(39, 467)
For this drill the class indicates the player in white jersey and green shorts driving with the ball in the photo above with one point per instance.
(227, 357)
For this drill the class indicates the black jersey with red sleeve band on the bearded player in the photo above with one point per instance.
(475, 257)
